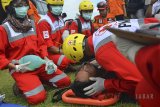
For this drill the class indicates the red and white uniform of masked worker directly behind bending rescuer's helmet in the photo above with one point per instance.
(87, 27)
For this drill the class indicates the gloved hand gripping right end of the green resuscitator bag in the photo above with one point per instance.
(50, 66)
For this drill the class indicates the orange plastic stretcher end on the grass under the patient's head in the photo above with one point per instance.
(69, 97)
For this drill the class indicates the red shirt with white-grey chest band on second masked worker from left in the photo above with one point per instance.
(51, 28)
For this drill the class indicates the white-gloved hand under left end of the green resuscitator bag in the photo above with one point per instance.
(22, 67)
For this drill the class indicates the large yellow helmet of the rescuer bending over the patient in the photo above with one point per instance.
(73, 47)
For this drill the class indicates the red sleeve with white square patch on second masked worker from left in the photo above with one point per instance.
(44, 30)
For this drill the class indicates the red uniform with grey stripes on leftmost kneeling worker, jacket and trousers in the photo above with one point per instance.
(14, 45)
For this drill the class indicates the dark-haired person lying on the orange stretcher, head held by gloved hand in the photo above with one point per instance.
(82, 80)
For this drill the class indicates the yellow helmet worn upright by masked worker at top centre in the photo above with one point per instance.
(86, 5)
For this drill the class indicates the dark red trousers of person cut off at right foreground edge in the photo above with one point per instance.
(148, 62)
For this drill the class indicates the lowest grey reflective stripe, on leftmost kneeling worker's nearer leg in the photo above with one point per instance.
(34, 91)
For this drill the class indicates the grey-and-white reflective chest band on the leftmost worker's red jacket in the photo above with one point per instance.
(13, 36)
